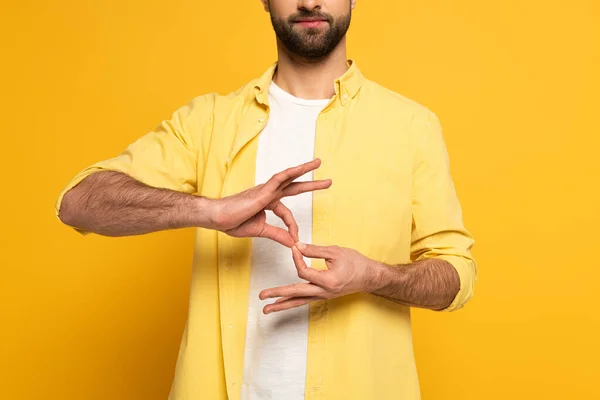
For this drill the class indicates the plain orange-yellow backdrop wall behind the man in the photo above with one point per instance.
(515, 84)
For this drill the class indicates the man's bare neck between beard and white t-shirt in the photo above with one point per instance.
(310, 79)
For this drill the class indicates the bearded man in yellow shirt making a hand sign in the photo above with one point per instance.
(377, 200)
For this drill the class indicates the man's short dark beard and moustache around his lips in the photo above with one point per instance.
(311, 43)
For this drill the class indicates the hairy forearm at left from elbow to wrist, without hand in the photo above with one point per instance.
(114, 204)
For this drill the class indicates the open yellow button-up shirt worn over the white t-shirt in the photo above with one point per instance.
(392, 199)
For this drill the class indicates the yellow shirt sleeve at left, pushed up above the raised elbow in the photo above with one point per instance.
(169, 156)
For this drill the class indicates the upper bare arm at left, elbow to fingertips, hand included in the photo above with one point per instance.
(114, 204)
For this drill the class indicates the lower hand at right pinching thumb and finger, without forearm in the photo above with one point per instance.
(348, 272)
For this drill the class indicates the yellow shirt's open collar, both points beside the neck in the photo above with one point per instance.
(346, 86)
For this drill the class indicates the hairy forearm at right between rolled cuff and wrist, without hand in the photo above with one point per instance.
(431, 283)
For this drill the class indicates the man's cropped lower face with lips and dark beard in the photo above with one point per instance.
(310, 29)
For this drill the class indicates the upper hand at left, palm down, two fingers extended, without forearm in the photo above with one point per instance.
(243, 214)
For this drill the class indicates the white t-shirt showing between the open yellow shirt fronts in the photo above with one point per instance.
(276, 344)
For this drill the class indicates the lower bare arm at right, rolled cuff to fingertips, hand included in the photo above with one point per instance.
(429, 283)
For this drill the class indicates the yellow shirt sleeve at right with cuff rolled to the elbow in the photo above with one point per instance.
(438, 229)
